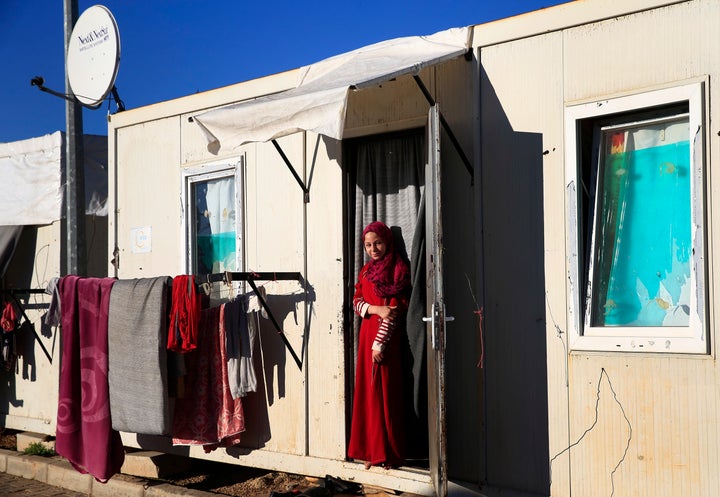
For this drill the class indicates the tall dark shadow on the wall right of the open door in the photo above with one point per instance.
(516, 408)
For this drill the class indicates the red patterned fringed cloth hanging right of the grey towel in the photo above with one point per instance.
(208, 415)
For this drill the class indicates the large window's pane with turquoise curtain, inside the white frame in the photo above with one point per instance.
(643, 226)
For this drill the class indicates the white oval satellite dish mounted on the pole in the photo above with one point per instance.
(93, 56)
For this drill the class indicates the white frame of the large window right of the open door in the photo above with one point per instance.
(691, 339)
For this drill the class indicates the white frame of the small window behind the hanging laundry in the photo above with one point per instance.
(215, 170)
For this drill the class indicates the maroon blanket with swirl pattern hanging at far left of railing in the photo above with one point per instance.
(84, 429)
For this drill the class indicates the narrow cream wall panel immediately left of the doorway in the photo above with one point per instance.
(326, 346)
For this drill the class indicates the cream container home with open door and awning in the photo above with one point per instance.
(550, 177)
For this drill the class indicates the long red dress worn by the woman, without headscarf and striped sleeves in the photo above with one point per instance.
(377, 434)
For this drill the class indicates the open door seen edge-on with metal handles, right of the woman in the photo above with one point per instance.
(435, 308)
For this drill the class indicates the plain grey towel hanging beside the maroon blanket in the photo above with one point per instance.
(137, 356)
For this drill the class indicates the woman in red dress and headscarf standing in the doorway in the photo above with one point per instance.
(381, 298)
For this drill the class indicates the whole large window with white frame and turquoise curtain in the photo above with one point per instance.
(635, 211)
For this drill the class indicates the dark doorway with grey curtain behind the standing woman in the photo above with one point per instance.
(385, 180)
